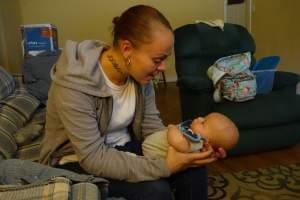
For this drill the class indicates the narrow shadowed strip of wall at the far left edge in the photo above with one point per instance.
(10, 37)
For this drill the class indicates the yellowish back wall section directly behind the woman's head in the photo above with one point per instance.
(91, 19)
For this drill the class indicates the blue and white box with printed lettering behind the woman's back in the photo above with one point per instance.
(37, 38)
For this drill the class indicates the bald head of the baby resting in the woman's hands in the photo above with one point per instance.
(218, 129)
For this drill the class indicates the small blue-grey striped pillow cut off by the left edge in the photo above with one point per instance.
(7, 83)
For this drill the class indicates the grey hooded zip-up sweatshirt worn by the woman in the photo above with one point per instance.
(78, 112)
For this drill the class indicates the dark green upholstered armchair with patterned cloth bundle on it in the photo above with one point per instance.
(270, 121)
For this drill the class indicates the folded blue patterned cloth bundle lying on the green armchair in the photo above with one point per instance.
(232, 78)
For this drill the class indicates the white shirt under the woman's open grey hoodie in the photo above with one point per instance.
(123, 112)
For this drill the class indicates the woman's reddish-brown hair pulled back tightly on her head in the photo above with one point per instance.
(135, 24)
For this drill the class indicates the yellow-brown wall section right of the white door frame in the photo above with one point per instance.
(275, 27)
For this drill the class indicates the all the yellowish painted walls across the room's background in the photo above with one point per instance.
(274, 24)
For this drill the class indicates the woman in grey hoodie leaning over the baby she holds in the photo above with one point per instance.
(101, 106)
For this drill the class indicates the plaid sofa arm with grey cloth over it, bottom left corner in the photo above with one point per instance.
(22, 179)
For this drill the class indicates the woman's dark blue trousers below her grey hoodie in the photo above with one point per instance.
(191, 184)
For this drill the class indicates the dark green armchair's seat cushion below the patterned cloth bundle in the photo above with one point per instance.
(276, 108)
